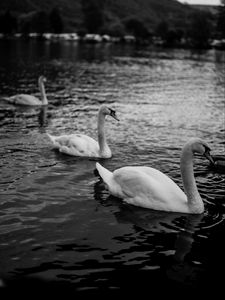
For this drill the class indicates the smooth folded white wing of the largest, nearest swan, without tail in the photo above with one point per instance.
(150, 188)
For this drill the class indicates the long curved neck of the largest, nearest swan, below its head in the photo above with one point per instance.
(195, 202)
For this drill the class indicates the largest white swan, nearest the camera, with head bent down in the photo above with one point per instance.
(147, 187)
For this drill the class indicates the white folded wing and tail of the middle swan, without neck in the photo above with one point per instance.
(76, 144)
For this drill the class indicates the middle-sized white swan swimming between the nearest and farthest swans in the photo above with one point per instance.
(83, 145)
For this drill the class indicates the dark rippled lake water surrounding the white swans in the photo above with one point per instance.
(59, 229)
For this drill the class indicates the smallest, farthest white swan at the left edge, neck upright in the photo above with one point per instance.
(25, 99)
